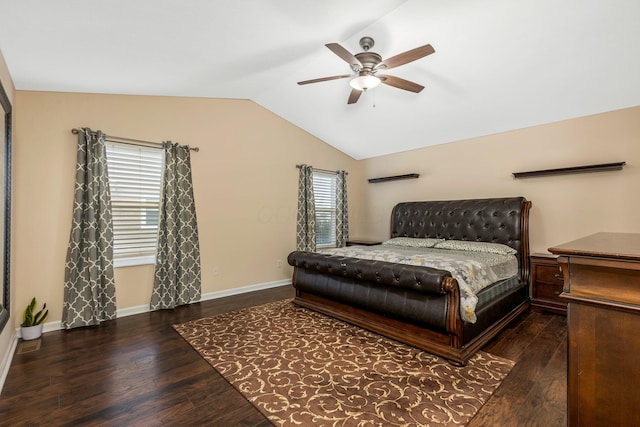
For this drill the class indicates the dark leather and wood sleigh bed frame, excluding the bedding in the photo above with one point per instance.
(420, 306)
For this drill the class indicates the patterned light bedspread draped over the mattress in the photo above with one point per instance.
(473, 270)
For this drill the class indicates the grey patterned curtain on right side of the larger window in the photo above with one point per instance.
(177, 272)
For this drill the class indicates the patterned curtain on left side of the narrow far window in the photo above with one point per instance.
(306, 226)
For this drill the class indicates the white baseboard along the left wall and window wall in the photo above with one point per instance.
(130, 311)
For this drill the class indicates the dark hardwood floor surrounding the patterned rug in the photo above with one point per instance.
(137, 371)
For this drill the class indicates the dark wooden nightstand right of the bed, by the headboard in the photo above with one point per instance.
(547, 283)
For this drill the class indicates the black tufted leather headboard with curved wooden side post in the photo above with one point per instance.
(499, 220)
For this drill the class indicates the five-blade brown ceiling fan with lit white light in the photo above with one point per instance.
(365, 66)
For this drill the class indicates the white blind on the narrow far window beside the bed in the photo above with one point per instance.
(324, 191)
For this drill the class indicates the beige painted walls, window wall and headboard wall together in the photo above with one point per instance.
(245, 182)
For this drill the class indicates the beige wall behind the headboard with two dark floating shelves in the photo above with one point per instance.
(564, 207)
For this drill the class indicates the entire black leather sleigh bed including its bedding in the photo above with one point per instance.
(418, 287)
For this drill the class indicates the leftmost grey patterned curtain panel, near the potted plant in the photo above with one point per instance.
(89, 288)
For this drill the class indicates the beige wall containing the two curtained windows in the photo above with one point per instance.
(245, 185)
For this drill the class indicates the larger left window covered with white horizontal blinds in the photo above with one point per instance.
(135, 174)
